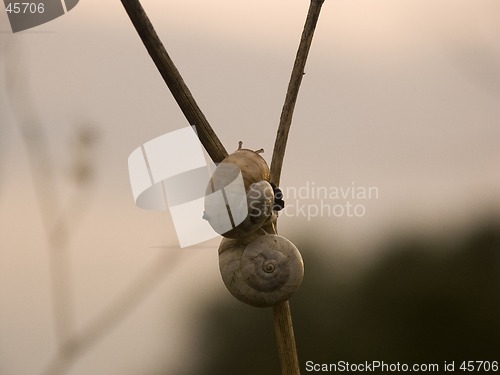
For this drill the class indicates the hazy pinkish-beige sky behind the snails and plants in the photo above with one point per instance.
(398, 95)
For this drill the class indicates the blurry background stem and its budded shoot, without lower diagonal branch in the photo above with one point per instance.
(60, 219)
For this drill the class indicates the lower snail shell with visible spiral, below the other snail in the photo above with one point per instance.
(261, 269)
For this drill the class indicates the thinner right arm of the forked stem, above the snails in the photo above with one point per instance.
(293, 90)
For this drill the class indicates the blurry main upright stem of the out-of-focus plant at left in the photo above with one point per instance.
(42, 169)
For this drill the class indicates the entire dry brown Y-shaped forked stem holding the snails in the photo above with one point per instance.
(282, 315)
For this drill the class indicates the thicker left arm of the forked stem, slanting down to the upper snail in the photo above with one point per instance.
(174, 80)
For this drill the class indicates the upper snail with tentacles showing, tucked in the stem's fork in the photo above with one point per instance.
(239, 198)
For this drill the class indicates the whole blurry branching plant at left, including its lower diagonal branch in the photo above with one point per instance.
(63, 196)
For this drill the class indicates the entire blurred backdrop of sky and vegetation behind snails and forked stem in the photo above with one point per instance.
(399, 96)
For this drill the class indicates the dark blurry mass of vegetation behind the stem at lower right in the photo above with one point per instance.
(424, 300)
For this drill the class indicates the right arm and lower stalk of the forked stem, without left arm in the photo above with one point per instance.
(282, 315)
